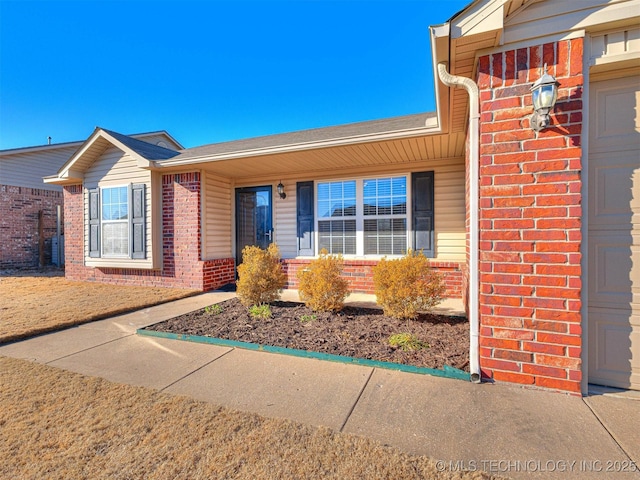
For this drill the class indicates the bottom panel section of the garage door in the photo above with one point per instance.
(611, 361)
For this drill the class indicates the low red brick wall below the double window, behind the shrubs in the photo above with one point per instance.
(359, 273)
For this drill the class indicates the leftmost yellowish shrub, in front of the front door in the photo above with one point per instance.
(260, 276)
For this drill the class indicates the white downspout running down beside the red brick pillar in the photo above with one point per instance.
(474, 117)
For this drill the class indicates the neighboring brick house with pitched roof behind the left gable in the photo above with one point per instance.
(28, 206)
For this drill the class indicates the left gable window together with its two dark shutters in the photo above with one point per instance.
(117, 222)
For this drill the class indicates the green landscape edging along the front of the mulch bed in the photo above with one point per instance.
(447, 371)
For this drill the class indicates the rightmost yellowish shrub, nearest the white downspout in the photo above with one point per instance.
(407, 285)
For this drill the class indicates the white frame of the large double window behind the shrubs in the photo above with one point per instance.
(360, 217)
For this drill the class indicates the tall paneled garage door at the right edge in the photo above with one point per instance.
(614, 233)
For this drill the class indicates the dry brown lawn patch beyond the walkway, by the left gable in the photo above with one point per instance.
(32, 303)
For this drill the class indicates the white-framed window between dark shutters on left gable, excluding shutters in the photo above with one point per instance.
(115, 222)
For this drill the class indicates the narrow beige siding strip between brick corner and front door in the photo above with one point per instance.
(217, 217)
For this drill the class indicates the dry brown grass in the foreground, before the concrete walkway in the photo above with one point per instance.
(60, 425)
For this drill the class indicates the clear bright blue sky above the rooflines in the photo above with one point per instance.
(210, 71)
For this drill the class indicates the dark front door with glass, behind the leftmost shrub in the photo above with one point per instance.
(253, 218)
